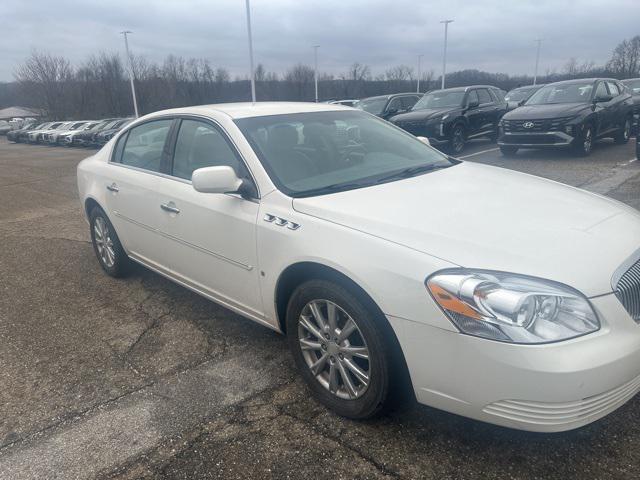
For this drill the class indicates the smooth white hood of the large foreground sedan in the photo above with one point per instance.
(485, 217)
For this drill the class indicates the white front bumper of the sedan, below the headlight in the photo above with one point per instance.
(544, 388)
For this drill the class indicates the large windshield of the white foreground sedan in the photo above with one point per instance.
(321, 152)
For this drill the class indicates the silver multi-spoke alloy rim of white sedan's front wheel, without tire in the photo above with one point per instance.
(334, 349)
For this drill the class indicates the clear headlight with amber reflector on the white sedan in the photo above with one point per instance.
(511, 308)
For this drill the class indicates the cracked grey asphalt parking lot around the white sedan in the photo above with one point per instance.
(140, 378)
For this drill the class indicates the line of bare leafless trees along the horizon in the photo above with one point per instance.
(99, 87)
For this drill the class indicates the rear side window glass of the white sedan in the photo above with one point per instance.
(144, 145)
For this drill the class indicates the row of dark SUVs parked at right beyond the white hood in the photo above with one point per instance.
(572, 113)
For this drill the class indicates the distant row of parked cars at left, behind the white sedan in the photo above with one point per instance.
(83, 133)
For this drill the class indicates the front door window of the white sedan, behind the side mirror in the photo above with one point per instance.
(202, 145)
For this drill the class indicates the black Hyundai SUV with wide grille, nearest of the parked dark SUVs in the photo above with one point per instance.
(573, 113)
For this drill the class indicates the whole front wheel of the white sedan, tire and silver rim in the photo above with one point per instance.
(339, 348)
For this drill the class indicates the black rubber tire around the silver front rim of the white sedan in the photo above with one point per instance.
(376, 397)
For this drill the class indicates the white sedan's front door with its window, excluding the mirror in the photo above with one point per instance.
(213, 236)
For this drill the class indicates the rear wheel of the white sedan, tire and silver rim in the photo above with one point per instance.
(121, 264)
